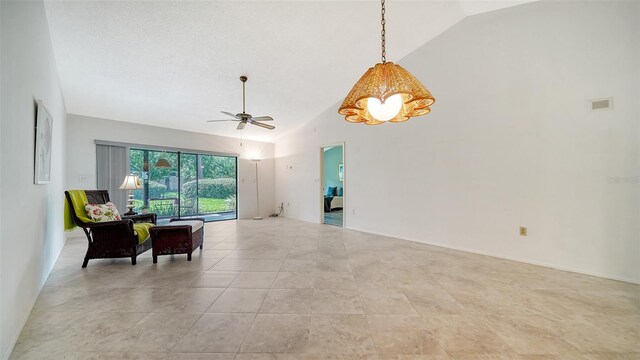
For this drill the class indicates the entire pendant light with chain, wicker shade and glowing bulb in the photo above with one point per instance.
(386, 92)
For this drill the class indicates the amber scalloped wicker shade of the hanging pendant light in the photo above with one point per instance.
(381, 82)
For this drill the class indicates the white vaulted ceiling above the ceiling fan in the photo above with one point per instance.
(176, 63)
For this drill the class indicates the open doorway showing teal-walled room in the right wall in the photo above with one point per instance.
(333, 180)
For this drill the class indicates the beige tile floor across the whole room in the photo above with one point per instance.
(280, 289)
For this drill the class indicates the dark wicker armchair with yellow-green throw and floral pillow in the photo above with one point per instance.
(128, 237)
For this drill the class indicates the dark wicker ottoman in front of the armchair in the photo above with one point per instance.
(179, 237)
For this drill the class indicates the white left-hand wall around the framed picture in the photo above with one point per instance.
(29, 72)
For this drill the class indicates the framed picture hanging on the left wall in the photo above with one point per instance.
(42, 161)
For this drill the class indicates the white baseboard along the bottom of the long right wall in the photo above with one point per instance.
(505, 257)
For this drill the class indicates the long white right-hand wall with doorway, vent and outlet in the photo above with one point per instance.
(510, 143)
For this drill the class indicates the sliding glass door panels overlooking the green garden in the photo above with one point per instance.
(183, 184)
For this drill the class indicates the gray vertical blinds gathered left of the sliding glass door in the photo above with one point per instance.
(112, 163)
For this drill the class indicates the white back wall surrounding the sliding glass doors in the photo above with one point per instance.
(82, 131)
